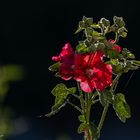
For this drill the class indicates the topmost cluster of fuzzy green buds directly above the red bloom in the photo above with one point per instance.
(96, 35)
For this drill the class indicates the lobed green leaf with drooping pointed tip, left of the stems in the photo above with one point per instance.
(61, 93)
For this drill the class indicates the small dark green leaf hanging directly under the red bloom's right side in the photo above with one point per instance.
(105, 97)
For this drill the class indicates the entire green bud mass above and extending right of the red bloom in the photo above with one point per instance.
(96, 39)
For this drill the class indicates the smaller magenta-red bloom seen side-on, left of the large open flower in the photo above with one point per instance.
(66, 59)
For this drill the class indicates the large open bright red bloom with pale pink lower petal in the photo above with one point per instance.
(92, 72)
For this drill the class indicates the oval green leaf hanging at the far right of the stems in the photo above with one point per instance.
(121, 107)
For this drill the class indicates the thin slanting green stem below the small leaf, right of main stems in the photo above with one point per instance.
(103, 117)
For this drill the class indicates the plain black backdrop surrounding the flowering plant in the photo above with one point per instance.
(31, 32)
